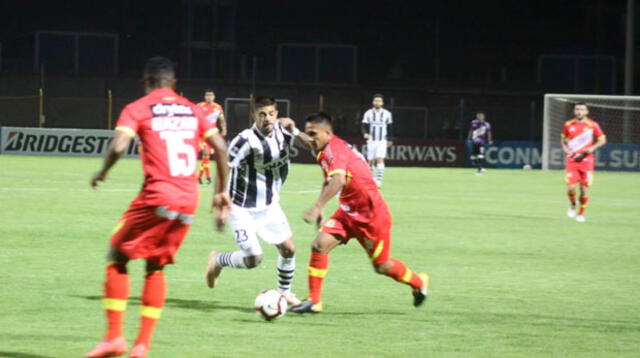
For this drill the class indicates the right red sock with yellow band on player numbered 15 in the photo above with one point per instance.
(153, 296)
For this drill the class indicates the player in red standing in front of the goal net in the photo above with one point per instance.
(581, 136)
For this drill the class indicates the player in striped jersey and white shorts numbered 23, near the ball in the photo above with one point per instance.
(259, 162)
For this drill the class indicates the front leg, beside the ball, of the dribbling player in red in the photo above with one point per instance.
(317, 270)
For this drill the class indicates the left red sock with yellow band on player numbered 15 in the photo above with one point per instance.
(116, 292)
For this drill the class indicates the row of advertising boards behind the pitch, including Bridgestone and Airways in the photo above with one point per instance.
(404, 152)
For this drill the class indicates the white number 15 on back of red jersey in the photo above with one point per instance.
(181, 156)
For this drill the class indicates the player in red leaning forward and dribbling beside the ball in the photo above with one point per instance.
(363, 214)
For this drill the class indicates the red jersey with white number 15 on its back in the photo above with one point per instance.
(170, 128)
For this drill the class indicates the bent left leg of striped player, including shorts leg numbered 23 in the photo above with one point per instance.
(243, 228)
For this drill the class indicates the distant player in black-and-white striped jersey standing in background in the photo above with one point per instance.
(376, 129)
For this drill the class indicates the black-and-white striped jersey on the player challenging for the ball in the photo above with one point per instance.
(259, 166)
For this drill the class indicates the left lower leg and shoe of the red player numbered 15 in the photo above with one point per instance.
(116, 293)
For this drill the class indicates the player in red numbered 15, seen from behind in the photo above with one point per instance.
(153, 227)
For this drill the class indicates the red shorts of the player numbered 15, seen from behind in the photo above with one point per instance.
(152, 232)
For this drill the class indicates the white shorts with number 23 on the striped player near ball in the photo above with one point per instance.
(269, 224)
